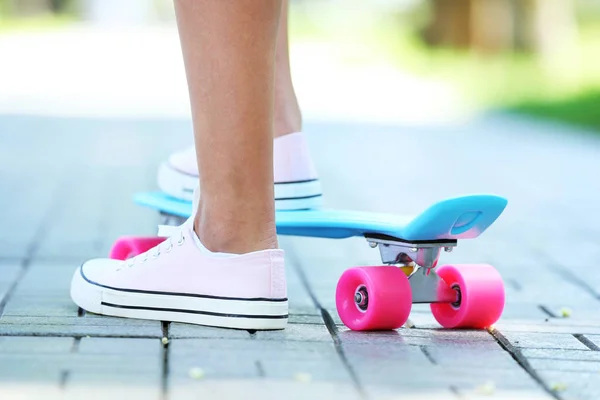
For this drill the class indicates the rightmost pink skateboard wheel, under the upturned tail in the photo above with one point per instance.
(481, 296)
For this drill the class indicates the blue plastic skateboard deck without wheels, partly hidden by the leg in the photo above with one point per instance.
(464, 217)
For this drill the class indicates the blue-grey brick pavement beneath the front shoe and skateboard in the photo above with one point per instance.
(68, 203)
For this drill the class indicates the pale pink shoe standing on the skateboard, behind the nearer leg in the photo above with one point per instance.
(297, 185)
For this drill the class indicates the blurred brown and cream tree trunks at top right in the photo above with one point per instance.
(539, 26)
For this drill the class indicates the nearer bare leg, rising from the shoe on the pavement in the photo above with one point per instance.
(229, 55)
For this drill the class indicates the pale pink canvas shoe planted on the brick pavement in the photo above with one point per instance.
(180, 280)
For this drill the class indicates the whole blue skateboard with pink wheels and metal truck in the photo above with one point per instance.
(380, 297)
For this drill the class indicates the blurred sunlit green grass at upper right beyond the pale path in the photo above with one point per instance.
(564, 87)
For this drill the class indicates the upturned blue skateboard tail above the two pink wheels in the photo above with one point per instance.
(464, 217)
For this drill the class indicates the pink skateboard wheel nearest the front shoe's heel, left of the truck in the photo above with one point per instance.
(373, 298)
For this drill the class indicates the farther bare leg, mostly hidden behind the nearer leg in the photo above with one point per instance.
(287, 118)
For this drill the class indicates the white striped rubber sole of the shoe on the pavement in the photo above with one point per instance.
(253, 314)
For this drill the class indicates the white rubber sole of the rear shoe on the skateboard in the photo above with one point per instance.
(297, 195)
